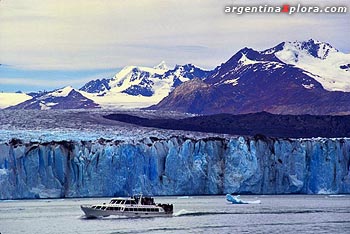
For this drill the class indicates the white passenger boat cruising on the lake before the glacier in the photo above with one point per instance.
(135, 206)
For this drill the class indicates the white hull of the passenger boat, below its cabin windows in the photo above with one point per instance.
(96, 213)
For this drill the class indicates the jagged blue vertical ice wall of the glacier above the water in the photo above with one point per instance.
(174, 166)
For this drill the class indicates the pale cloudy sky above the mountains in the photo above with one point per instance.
(50, 44)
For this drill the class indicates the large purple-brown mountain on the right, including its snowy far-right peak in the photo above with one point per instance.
(271, 80)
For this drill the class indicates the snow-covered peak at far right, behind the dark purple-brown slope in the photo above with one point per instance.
(323, 62)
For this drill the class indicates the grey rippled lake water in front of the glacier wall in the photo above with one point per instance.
(198, 214)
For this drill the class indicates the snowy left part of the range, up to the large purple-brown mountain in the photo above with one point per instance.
(132, 87)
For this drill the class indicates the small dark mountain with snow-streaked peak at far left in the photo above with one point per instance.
(64, 98)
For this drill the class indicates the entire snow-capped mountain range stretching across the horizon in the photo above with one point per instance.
(291, 78)
